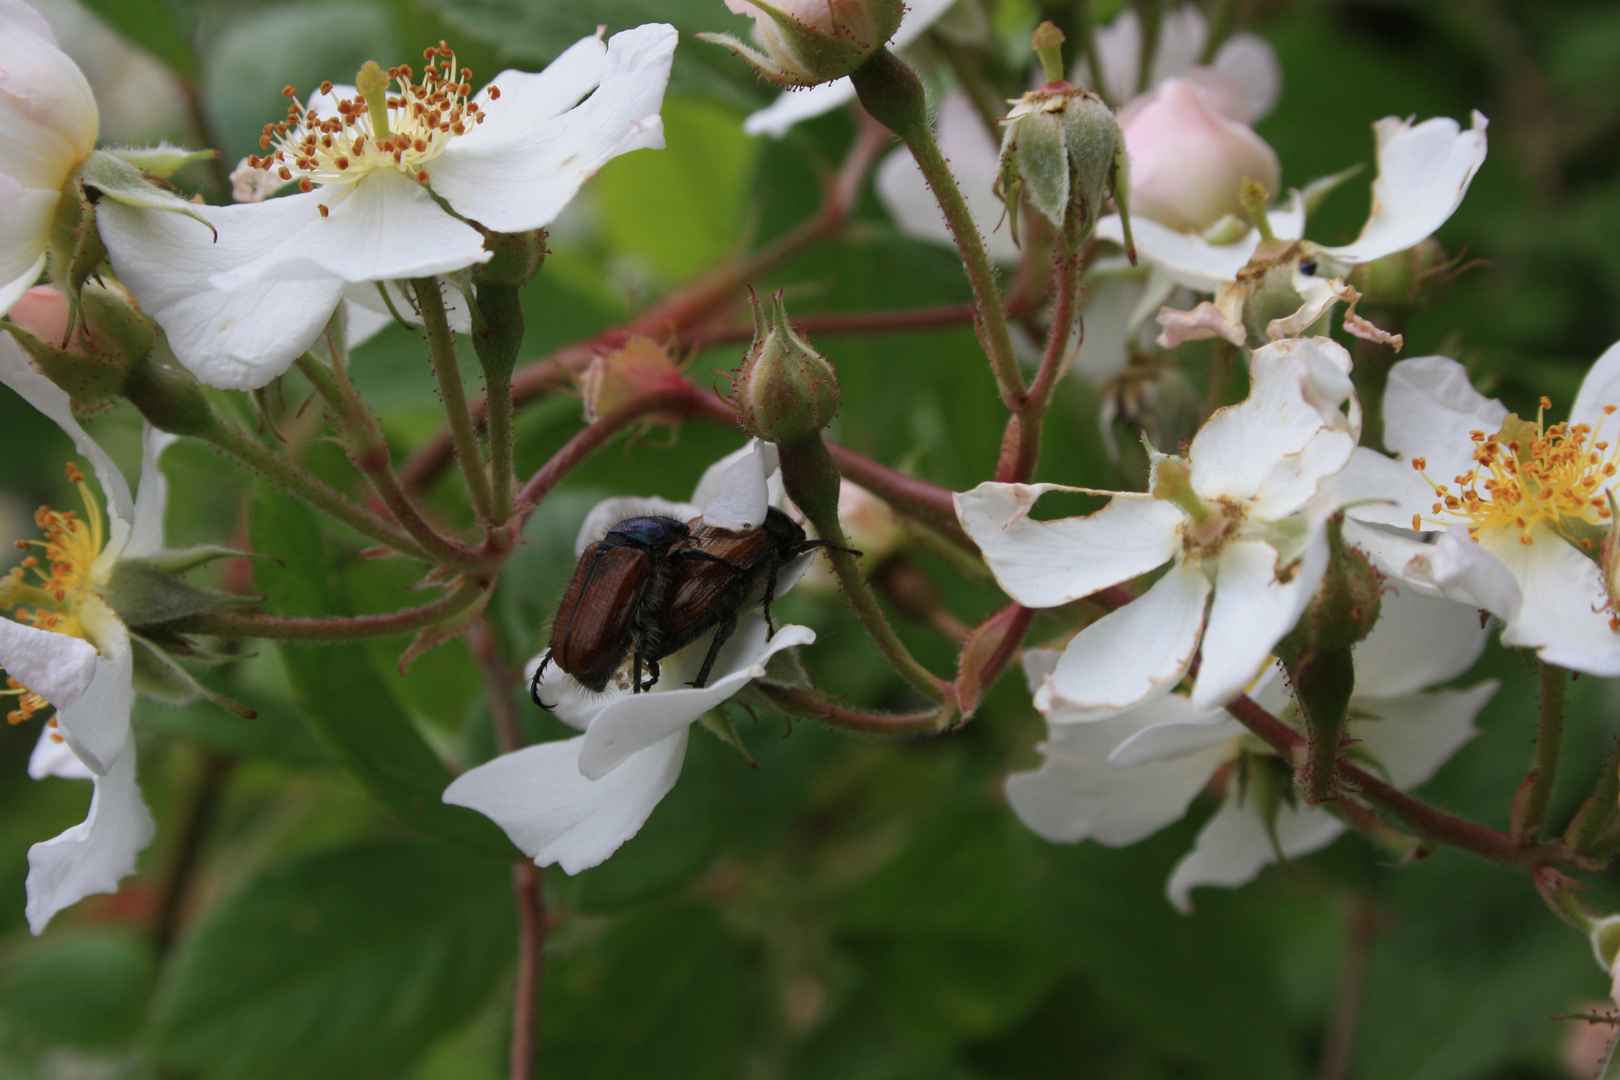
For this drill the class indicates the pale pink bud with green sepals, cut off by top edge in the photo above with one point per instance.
(804, 43)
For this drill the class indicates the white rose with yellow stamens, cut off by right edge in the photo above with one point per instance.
(1522, 508)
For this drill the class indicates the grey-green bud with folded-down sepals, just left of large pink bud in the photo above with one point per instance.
(1064, 150)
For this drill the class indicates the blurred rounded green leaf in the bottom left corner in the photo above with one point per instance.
(85, 992)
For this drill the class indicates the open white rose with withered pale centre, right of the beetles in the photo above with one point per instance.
(1237, 521)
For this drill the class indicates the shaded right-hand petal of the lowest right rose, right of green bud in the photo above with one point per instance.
(1418, 642)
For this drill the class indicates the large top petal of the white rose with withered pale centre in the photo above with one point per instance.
(1276, 448)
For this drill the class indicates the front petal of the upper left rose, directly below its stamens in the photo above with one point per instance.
(385, 227)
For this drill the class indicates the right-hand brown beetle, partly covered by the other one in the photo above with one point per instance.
(712, 593)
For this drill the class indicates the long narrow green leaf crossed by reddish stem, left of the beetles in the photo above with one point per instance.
(349, 710)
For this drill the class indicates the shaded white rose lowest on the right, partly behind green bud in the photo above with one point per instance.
(1122, 778)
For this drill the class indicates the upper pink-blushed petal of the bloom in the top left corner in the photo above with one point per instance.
(48, 113)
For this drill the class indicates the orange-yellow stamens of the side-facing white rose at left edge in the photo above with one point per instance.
(48, 590)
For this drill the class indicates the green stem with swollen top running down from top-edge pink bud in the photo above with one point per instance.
(893, 95)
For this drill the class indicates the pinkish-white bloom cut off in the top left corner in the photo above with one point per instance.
(48, 129)
